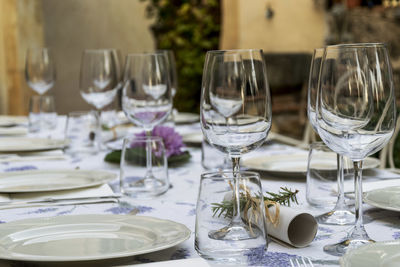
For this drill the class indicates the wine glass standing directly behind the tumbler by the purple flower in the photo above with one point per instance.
(147, 101)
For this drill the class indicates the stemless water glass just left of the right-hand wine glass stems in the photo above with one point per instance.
(322, 175)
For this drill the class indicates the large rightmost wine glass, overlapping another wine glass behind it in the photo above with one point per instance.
(356, 114)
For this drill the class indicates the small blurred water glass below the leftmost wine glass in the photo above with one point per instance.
(42, 113)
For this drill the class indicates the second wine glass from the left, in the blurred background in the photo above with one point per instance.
(99, 80)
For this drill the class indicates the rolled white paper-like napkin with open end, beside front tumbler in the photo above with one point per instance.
(295, 227)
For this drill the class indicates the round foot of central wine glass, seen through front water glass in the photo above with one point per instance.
(235, 232)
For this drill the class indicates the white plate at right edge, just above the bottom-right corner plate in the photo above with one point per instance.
(385, 198)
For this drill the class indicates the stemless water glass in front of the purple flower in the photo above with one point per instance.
(137, 178)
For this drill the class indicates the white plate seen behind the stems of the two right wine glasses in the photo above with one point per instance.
(286, 165)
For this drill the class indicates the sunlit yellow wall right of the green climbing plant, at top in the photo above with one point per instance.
(296, 25)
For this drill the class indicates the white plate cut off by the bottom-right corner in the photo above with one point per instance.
(384, 254)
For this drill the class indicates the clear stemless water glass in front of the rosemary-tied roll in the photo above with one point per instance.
(217, 188)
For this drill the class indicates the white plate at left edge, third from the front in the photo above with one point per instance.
(11, 144)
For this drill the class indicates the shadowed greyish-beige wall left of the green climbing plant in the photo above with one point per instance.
(70, 26)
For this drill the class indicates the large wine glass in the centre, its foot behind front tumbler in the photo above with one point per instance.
(235, 111)
